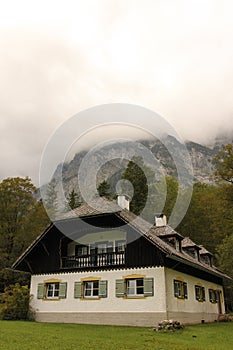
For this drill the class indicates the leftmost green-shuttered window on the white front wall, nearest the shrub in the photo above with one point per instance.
(51, 290)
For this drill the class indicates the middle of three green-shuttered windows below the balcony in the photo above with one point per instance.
(90, 289)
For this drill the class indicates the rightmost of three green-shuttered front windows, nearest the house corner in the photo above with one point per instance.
(134, 287)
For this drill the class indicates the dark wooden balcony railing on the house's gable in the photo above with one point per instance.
(94, 260)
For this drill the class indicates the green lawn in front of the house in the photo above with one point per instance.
(19, 335)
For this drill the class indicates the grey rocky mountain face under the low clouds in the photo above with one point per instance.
(109, 162)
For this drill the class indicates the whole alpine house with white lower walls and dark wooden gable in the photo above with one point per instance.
(110, 267)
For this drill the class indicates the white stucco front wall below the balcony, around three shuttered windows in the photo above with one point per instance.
(111, 304)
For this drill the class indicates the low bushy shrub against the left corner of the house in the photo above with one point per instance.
(15, 303)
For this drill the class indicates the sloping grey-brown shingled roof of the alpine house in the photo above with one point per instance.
(152, 233)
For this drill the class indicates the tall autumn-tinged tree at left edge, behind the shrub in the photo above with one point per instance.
(22, 218)
